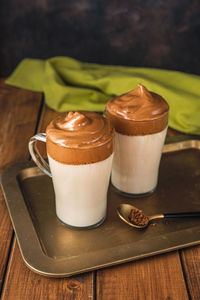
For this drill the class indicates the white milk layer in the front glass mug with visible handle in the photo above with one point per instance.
(81, 191)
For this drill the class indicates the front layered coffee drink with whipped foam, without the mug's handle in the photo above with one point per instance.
(80, 153)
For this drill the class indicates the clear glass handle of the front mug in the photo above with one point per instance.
(36, 156)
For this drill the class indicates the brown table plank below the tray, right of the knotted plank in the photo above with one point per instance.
(155, 278)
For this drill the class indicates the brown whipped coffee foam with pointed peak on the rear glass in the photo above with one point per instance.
(139, 112)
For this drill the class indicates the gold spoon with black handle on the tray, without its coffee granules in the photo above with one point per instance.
(123, 211)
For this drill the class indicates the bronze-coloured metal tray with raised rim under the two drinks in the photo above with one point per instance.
(51, 249)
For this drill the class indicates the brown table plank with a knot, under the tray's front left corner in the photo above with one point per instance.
(37, 286)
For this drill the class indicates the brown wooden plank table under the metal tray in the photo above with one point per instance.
(175, 275)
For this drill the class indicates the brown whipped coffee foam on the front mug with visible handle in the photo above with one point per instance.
(80, 138)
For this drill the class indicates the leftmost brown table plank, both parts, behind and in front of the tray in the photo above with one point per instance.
(18, 116)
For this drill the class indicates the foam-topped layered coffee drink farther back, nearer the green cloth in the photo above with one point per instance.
(140, 119)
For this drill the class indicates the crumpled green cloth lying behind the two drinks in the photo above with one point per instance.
(69, 84)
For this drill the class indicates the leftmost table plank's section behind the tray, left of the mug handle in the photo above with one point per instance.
(19, 113)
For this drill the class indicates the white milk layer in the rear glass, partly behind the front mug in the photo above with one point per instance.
(136, 162)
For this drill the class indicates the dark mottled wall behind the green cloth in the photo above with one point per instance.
(150, 33)
